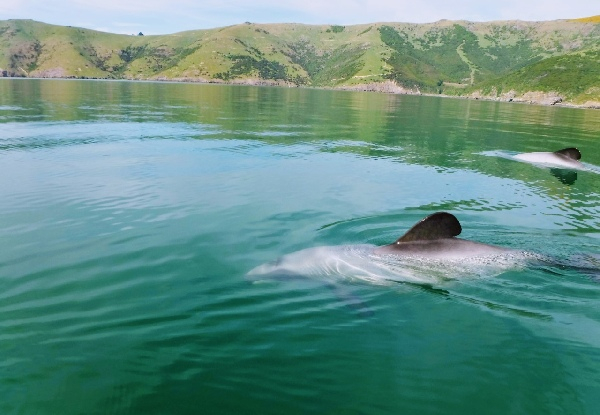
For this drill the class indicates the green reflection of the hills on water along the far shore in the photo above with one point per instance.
(444, 134)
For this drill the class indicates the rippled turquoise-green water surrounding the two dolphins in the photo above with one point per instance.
(130, 214)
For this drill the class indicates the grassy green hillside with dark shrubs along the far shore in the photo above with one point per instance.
(505, 59)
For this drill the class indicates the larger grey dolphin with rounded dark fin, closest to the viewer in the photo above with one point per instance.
(429, 252)
